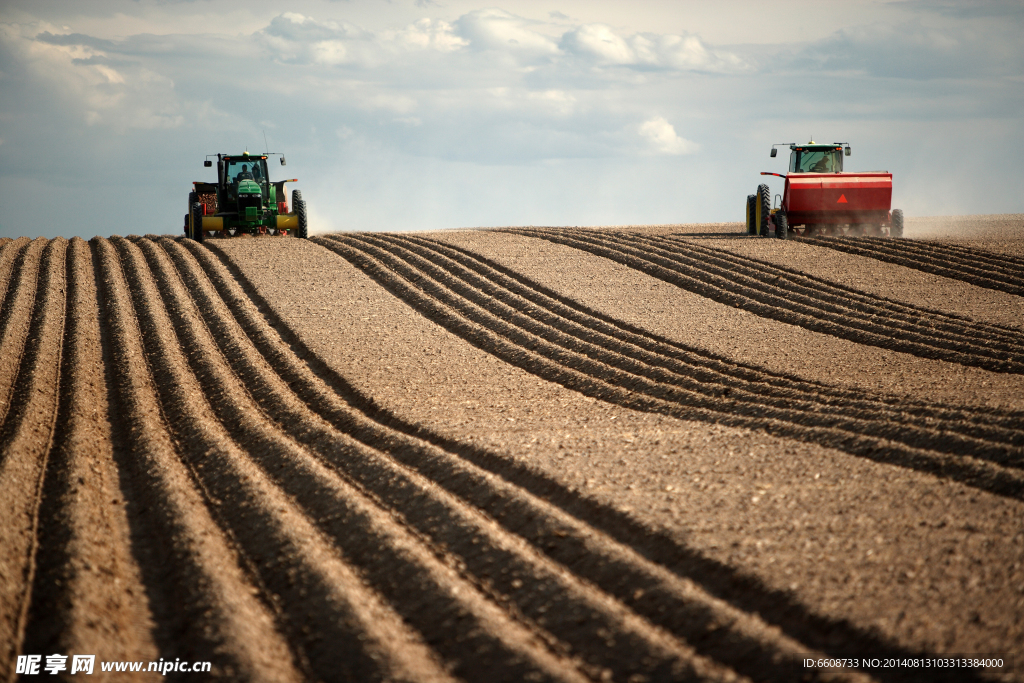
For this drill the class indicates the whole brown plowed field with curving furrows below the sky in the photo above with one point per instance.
(639, 454)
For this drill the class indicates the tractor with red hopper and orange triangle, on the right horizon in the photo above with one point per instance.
(821, 199)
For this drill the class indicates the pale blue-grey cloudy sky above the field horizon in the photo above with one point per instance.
(408, 115)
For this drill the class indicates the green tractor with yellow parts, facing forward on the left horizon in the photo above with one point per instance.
(244, 201)
